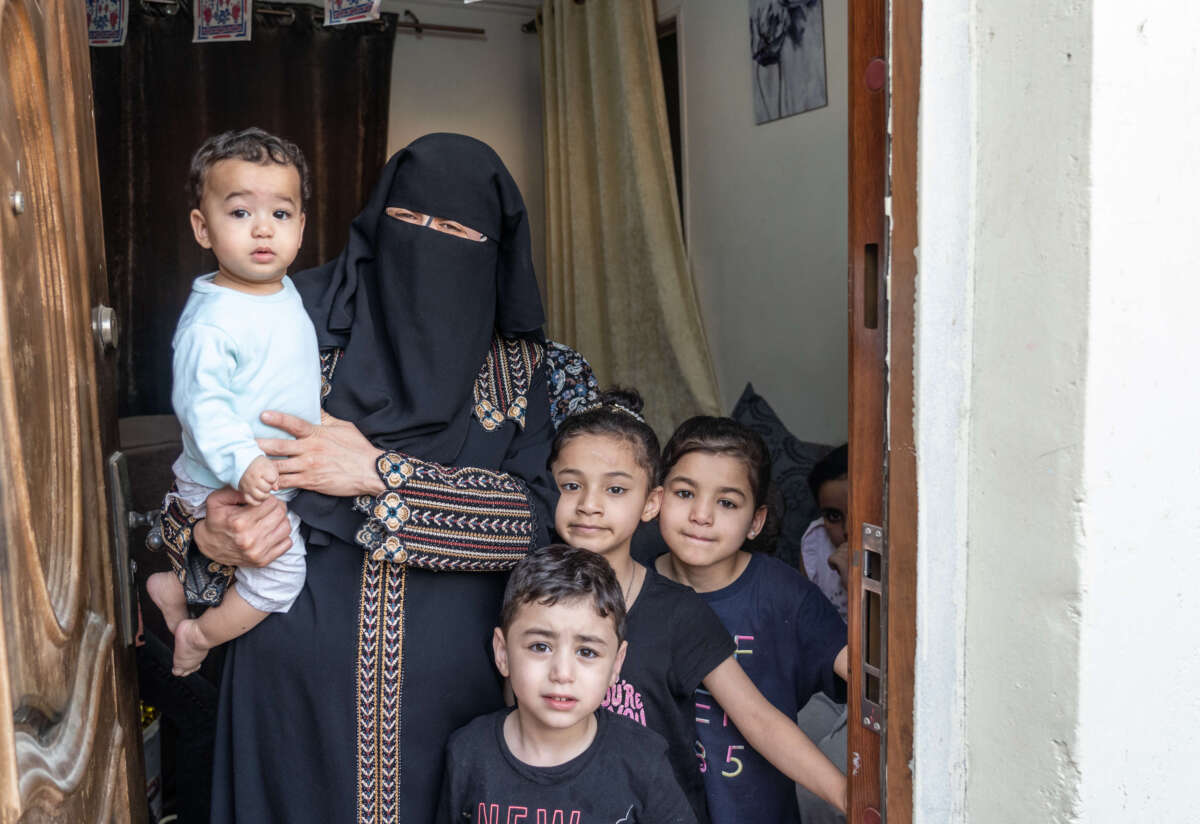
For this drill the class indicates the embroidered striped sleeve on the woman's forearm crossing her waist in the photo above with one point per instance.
(446, 519)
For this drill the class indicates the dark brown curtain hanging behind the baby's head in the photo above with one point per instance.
(160, 97)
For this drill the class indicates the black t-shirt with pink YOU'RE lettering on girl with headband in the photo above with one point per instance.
(675, 642)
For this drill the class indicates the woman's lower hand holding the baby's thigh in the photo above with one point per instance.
(243, 536)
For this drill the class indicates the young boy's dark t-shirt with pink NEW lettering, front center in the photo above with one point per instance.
(623, 778)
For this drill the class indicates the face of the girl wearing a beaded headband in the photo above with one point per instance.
(604, 495)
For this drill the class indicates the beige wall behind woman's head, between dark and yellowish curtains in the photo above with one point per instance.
(489, 88)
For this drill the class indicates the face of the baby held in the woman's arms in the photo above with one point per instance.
(251, 218)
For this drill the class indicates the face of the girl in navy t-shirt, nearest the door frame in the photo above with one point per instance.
(709, 509)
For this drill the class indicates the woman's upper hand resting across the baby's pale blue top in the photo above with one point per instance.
(333, 459)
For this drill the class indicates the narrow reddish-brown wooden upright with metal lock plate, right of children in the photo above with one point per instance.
(867, 701)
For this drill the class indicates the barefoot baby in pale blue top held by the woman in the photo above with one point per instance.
(244, 345)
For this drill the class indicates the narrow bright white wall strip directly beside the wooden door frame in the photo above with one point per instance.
(943, 375)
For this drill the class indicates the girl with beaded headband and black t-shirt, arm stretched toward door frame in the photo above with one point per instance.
(605, 462)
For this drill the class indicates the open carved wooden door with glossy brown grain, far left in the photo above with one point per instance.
(70, 735)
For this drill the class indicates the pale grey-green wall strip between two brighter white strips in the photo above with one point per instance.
(1031, 272)
